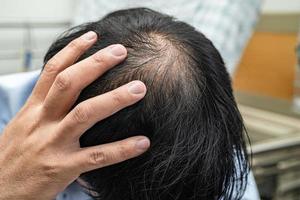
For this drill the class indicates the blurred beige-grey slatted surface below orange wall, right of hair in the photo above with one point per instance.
(274, 129)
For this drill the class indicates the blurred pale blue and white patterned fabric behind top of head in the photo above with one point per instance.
(227, 23)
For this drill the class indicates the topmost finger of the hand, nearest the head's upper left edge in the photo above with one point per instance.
(63, 59)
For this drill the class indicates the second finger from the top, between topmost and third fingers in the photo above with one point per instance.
(69, 83)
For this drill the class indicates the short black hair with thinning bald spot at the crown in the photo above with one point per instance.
(189, 112)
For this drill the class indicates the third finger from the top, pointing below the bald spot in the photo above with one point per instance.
(89, 112)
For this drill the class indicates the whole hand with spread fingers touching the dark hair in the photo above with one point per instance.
(40, 154)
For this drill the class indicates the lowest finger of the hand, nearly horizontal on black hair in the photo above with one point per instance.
(108, 154)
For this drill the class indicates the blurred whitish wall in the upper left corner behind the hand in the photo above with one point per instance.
(30, 26)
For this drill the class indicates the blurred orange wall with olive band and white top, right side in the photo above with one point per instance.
(268, 66)
